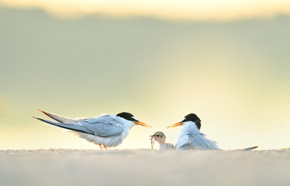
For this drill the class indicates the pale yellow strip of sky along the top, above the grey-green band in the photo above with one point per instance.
(174, 9)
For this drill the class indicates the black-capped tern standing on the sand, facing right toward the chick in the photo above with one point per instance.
(107, 130)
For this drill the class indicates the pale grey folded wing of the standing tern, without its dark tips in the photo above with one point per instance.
(103, 126)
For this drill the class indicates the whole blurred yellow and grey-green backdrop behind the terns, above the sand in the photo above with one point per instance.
(227, 61)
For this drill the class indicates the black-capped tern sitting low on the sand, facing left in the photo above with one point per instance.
(190, 136)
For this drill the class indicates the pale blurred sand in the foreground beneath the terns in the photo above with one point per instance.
(144, 167)
